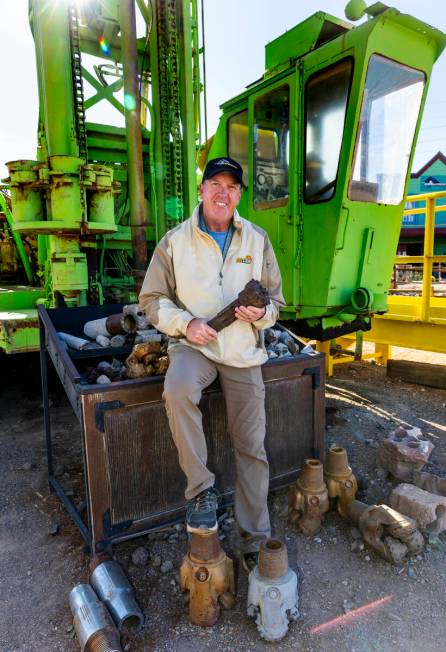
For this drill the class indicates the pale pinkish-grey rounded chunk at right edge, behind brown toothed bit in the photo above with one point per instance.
(429, 510)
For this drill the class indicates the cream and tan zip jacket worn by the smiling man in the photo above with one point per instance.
(188, 278)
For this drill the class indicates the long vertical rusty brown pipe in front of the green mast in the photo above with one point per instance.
(132, 103)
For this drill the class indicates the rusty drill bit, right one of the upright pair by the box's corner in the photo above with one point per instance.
(341, 482)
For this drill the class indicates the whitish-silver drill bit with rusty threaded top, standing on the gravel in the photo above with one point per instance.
(272, 591)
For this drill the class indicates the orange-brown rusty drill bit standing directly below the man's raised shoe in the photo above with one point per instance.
(207, 578)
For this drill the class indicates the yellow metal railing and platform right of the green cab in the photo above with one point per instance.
(411, 322)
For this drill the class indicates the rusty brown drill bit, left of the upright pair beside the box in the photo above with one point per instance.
(308, 498)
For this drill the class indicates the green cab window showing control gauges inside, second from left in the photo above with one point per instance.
(271, 149)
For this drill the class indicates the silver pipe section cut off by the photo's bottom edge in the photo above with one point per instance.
(93, 625)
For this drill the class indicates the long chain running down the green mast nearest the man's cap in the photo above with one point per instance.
(170, 104)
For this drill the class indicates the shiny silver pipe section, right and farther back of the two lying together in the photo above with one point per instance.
(113, 588)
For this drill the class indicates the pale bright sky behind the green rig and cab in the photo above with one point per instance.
(236, 32)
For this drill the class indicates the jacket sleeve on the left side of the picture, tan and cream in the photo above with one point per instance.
(157, 297)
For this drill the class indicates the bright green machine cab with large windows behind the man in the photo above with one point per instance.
(326, 138)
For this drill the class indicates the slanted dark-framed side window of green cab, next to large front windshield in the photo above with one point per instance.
(326, 105)
